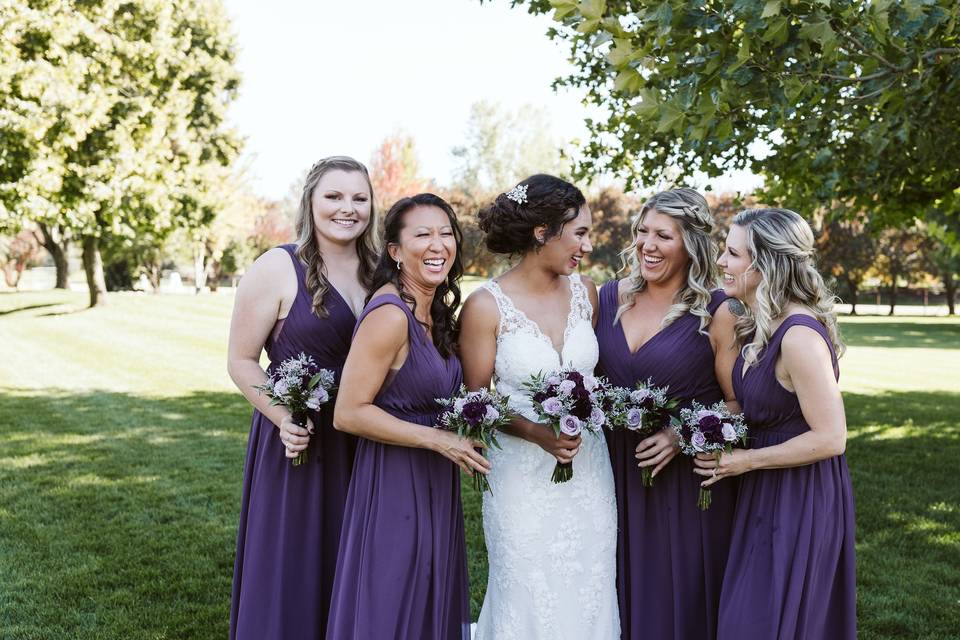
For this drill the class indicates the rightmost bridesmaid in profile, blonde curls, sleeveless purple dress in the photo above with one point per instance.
(791, 571)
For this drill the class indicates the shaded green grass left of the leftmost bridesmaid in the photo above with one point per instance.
(123, 506)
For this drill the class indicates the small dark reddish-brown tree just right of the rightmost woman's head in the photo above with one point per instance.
(847, 251)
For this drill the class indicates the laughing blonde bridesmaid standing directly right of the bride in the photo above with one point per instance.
(663, 322)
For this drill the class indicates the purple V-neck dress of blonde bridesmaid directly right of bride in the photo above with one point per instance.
(670, 554)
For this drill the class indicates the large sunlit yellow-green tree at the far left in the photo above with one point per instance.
(113, 119)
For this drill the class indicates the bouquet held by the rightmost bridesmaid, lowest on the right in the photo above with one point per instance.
(709, 430)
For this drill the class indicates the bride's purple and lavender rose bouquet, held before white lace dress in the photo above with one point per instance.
(569, 402)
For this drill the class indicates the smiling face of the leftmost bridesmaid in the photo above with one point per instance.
(341, 204)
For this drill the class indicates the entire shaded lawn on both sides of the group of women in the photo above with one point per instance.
(126, 507)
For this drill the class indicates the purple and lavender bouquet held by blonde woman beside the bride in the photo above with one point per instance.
(644, 410)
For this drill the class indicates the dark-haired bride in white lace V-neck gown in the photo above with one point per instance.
(551, 547)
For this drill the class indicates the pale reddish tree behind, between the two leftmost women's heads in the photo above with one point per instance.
(395, 171)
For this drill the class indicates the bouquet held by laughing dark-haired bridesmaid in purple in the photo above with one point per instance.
(476, 415)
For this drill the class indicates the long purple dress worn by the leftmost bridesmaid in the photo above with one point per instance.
(290, 517)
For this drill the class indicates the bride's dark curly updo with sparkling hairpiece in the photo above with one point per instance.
(549, 201)
